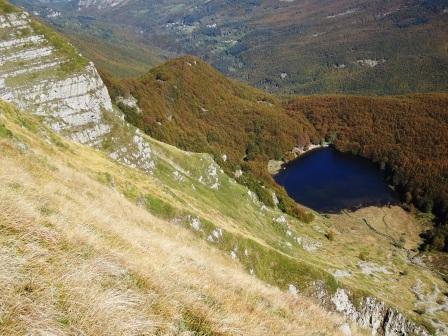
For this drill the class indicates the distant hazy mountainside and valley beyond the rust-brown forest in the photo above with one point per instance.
(301, 47)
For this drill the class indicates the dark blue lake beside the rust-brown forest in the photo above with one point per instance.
(329, 181)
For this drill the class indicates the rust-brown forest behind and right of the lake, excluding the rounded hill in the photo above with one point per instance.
(406, 136)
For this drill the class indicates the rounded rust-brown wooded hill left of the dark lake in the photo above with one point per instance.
(187, 103)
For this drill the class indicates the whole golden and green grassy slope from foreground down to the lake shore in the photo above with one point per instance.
(71, 198)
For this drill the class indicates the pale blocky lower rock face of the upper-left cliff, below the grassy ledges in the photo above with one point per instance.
(73, 104)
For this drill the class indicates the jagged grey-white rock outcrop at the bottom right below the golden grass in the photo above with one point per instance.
(375, 315)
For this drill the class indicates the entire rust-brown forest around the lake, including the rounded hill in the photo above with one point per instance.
(187, 103)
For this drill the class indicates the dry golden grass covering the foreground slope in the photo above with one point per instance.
(79, 258)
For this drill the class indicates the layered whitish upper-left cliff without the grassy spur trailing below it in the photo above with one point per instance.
(71, 103)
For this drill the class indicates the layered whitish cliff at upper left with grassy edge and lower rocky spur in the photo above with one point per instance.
(74, 103)
